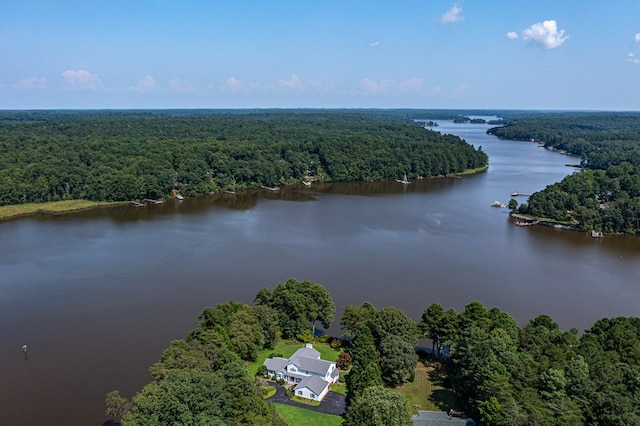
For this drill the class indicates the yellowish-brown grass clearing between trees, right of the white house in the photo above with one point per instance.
(425, 393)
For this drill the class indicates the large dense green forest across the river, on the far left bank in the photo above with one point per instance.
(129, 155)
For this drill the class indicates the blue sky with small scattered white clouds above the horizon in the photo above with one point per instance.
(512, 54)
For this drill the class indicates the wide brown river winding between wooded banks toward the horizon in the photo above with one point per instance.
(97, 295)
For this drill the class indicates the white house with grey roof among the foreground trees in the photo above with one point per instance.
(312, 376)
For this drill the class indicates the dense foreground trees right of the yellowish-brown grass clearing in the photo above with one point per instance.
(539, 374)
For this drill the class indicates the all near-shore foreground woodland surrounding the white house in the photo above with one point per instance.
(499, 372)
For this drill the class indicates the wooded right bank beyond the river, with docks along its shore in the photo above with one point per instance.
(605, 195)
